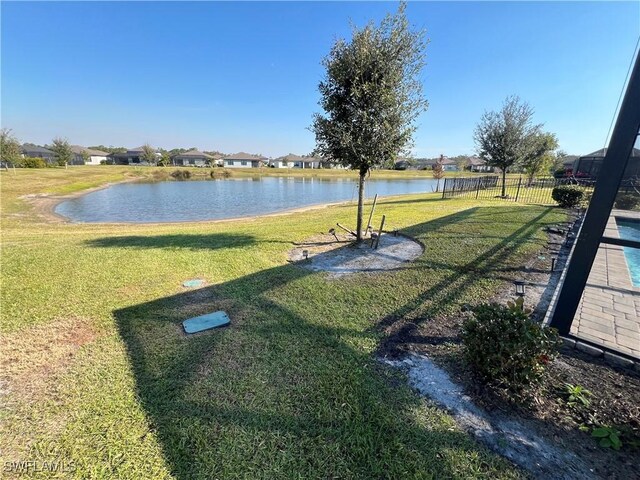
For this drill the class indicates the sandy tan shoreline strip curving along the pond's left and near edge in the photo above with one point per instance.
(44, 205)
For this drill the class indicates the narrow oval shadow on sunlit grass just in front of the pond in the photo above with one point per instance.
(211, 241)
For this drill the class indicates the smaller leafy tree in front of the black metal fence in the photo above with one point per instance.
(506, 137)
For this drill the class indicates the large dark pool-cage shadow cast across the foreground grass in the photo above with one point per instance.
(291, 389)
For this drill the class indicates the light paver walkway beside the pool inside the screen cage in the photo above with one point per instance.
(609, 311)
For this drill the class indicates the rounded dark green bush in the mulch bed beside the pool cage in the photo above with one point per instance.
(506, 347)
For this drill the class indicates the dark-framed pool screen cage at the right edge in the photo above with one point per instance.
(599, 296)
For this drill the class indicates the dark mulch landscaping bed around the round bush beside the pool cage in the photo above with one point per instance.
(545, 410)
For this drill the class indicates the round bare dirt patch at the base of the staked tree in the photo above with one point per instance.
(340, 255)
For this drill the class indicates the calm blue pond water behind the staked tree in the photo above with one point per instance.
(175, 201)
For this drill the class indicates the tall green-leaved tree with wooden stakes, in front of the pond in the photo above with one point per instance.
(371, 96)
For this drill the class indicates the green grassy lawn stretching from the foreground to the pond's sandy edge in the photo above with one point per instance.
(96, 370)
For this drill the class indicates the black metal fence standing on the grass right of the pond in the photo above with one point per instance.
(536, 190)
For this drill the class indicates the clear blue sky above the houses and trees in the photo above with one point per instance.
(243, 76)
